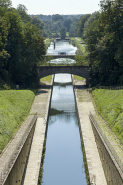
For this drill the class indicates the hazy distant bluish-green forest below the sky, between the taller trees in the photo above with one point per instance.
(53, 24)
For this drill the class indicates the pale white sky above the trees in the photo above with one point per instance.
(49, 7)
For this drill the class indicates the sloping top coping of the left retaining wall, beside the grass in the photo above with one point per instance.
(9, 164)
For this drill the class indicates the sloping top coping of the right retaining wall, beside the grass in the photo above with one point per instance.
(107, 142)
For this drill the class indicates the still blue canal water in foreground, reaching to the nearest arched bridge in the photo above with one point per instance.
(63, 164)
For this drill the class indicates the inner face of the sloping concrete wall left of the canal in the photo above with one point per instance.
(16, 174)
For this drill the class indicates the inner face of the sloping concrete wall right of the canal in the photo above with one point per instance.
(113, 173)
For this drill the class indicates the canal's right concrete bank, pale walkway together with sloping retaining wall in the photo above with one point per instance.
(102, 162)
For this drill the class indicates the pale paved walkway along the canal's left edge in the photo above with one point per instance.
(41, 106)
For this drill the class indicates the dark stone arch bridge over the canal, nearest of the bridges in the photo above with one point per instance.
(82, 71)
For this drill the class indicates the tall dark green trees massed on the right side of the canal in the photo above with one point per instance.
(103, 35)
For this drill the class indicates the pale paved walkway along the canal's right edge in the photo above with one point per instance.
(84, 106)
